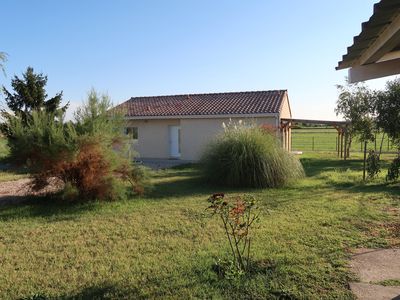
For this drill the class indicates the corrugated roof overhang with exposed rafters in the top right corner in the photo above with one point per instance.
(375, 52)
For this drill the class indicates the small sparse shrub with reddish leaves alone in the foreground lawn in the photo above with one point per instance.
(238, 214)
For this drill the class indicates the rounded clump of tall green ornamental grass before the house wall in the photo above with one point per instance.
(248, 156)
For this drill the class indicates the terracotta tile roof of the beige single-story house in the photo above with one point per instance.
(205, 104)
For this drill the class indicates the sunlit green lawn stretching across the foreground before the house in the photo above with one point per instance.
(164, 245)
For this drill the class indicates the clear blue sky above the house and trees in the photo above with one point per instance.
(137, 48)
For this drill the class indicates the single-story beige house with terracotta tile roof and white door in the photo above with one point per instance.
(180, 126)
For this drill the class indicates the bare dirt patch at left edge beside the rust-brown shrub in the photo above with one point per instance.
(20, 190)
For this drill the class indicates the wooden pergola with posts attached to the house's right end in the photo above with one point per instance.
(340, 126)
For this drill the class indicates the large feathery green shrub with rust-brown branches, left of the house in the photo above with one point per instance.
(82, 154)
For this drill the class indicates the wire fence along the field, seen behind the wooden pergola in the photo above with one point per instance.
(326, 139)
